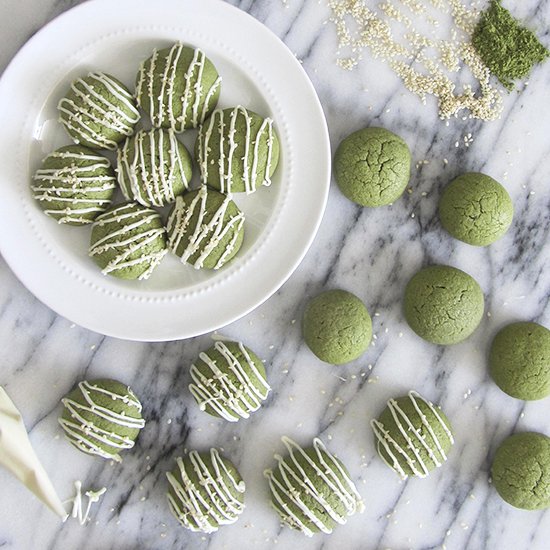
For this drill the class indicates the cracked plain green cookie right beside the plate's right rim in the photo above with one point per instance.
(372, 167)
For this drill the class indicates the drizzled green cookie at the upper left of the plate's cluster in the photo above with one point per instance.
(98, 111)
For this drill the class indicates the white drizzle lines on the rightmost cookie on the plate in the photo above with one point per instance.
(224, 122)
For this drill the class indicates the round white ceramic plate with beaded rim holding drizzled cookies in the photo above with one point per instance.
(258, 72)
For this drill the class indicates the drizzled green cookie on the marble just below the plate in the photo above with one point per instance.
(229, 381)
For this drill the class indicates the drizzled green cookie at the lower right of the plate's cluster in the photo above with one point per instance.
(205, 228)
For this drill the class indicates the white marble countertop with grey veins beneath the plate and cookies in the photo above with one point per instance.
(371, 252)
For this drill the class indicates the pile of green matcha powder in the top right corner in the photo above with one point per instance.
(505, 46)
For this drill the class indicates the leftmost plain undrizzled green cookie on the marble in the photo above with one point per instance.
(337, 326)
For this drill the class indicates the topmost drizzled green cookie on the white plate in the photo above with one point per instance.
(178, 87)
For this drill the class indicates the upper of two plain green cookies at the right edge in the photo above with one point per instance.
(519, 360)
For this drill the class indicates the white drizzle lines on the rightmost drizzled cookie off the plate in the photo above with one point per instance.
(416, 442)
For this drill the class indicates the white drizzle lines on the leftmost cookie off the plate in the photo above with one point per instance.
(88, 437)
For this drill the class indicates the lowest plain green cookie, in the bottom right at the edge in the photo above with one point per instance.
(521, 471)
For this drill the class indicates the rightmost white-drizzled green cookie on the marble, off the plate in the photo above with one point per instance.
(413, 436)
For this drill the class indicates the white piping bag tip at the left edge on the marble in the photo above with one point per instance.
(17, 456)
